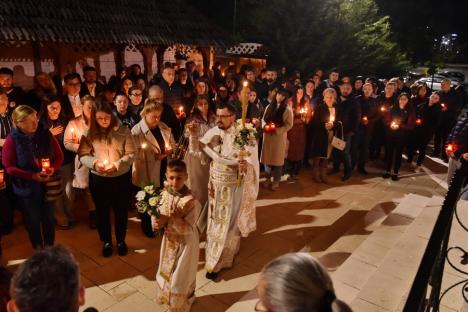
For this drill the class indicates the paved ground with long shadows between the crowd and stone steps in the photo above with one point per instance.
(300, 216)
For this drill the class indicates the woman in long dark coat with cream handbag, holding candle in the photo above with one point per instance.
(322, 134)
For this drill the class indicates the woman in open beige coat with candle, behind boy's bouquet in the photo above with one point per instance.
(154, 142)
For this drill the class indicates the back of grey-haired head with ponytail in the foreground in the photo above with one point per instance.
(296, 282)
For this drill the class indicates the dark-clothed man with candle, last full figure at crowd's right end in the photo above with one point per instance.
(450, 106)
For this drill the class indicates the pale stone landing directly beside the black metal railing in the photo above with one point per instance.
(392, 274)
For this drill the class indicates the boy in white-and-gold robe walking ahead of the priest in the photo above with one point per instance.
(179, 250)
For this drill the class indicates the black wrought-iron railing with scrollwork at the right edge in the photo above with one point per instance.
(425, 294)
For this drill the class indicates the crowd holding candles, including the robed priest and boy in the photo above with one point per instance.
(106, 141)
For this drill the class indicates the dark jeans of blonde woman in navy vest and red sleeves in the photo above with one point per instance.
(39, 220)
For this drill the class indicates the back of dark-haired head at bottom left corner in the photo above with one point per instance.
(48, 281)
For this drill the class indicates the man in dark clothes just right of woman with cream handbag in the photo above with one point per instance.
(348, 114)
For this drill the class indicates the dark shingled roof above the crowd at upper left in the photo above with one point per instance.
(149, 22)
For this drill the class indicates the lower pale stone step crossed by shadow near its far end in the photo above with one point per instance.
(353, 274)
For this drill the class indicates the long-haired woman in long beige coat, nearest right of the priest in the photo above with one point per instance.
(277, 121)
